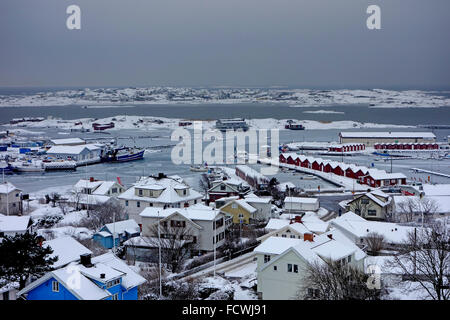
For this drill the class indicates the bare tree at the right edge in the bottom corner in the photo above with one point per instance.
(424, 259)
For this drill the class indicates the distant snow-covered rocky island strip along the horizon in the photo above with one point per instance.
(376, 98)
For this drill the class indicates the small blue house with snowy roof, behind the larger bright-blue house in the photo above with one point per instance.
(124, 230)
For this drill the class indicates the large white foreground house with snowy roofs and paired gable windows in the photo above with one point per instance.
(283, 262)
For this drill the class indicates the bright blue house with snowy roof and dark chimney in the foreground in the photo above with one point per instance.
(105, 277)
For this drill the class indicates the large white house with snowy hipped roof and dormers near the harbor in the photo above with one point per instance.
(160, 192)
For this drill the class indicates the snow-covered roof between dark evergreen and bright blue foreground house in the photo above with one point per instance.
(67, 249)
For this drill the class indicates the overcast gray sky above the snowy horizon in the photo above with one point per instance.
(302, 43)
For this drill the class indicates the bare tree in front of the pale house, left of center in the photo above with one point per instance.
(177, 243)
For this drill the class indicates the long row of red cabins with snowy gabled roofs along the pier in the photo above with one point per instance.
(364, 175)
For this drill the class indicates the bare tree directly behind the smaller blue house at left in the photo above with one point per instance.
(103, 214)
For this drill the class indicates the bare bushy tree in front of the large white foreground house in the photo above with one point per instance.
(336, 281)
